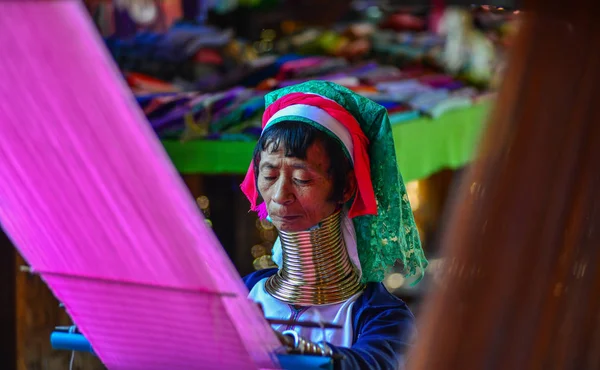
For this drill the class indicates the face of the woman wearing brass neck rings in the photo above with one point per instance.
(296, 191)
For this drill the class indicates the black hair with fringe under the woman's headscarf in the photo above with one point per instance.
(296, 138)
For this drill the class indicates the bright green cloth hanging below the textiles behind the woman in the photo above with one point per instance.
(423, 147)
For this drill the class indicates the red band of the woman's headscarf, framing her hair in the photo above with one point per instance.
(364, 201)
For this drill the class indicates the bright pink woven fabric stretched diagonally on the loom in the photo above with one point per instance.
(91, 200)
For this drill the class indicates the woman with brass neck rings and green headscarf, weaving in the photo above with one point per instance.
(326, 169)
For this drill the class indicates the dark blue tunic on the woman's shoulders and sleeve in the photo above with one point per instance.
(383, 328)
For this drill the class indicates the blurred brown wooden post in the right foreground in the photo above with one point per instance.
(522, 280)
